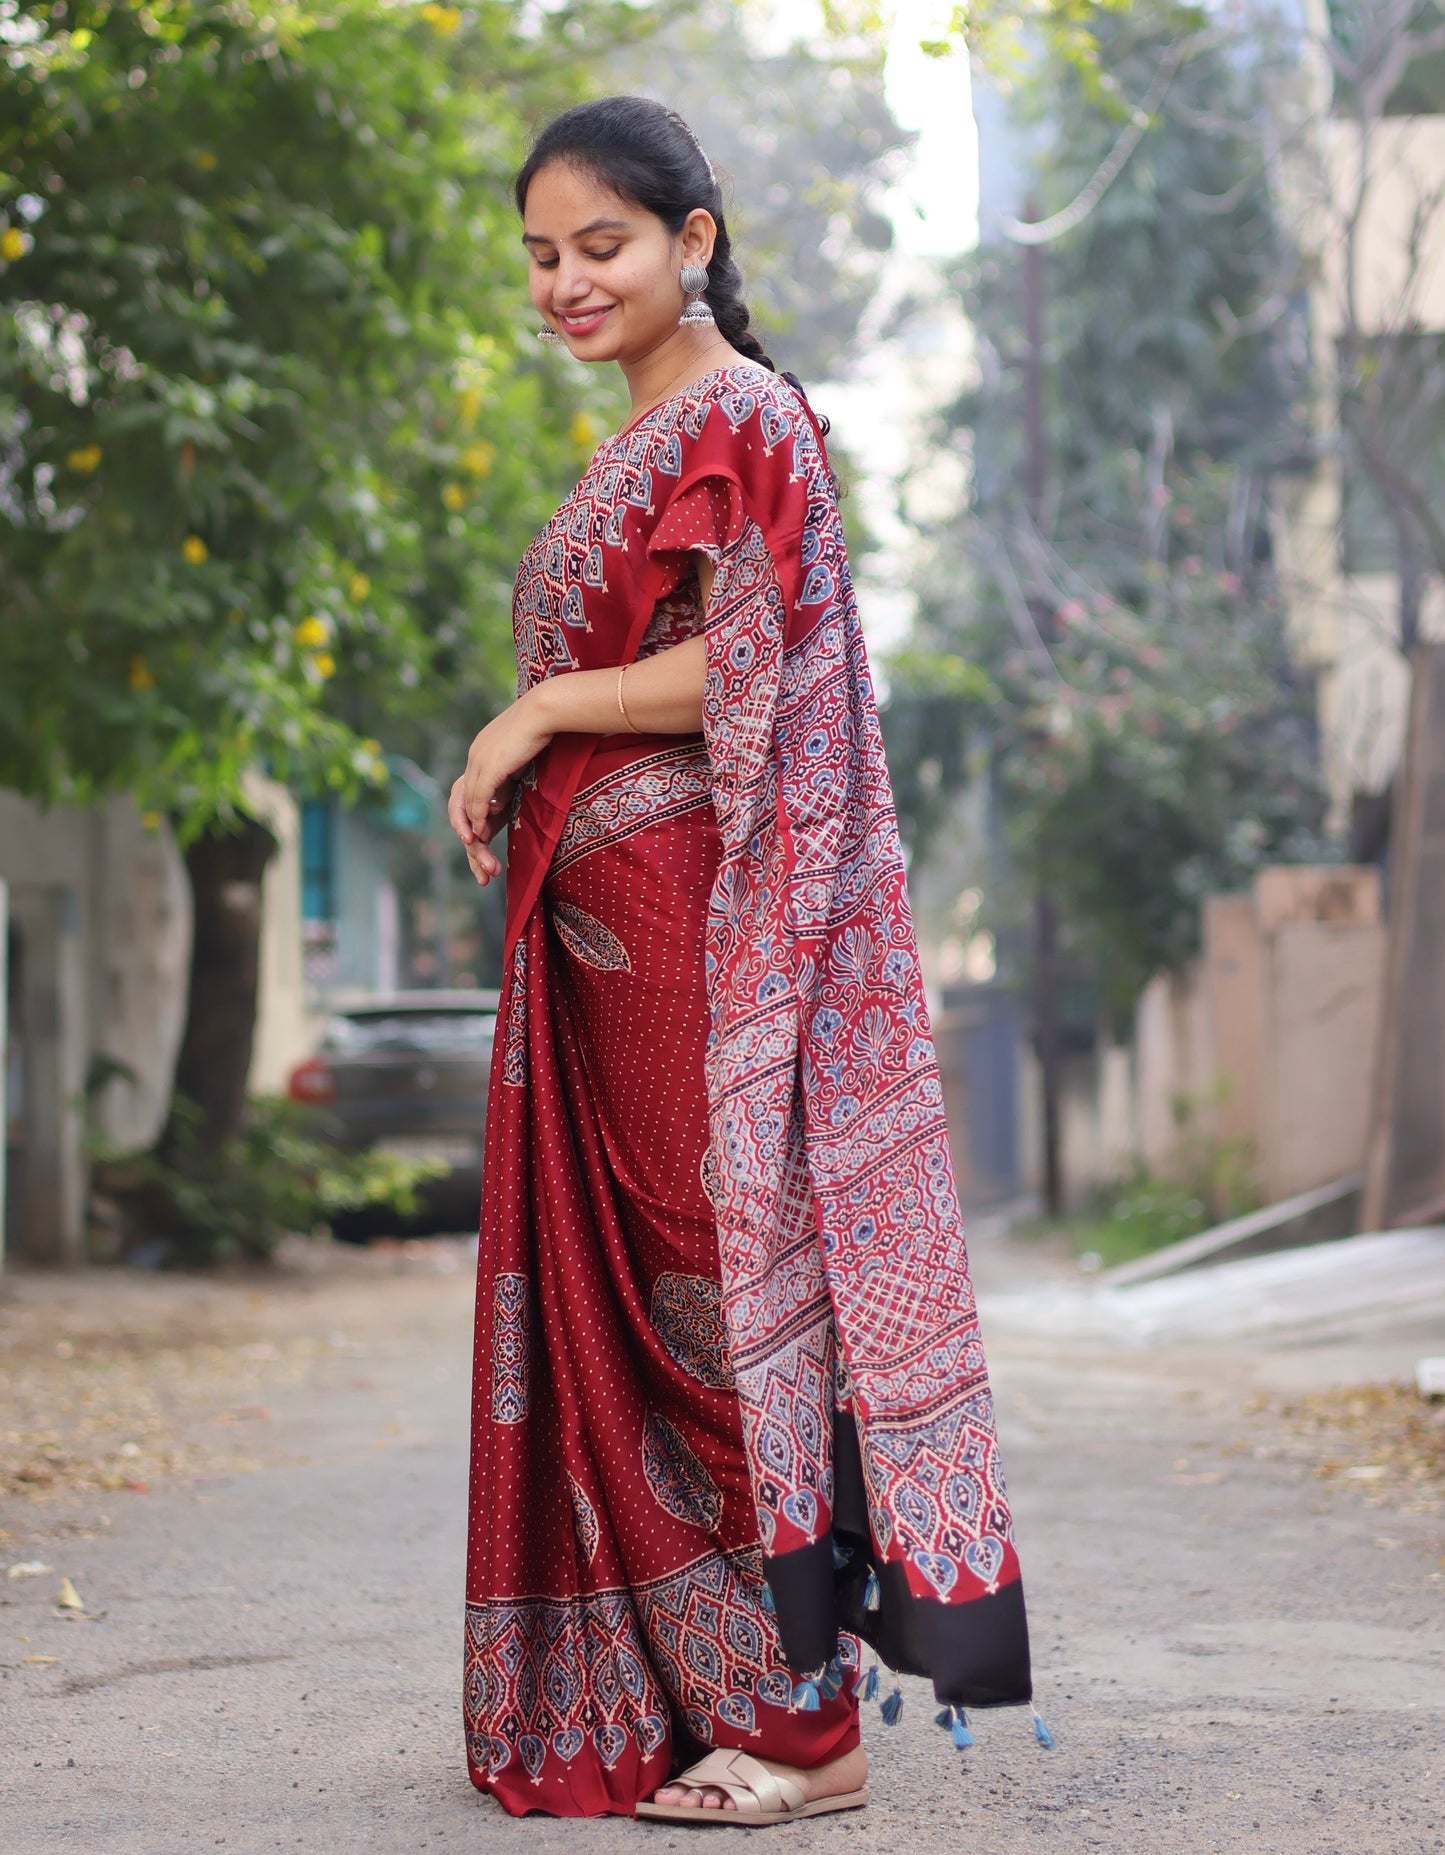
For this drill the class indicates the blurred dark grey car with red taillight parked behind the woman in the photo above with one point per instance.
(407, 1073)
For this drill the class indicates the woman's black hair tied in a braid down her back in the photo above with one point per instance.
(646, 153)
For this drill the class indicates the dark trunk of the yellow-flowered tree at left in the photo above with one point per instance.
(225, 867)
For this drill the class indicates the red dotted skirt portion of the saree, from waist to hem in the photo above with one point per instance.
(620, 1609)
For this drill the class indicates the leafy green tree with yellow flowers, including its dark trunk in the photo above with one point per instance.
(272, 420)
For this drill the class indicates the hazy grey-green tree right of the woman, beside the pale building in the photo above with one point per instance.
(1125, 630)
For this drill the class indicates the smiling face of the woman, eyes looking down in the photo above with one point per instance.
(604, 272)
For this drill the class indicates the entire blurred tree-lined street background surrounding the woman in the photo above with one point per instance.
(1131, 322)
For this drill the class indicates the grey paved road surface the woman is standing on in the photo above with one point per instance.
(1233, 1654)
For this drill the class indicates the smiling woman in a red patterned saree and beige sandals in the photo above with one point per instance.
(730, 1409)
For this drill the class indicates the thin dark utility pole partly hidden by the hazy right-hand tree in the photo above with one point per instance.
(1045, 919)
